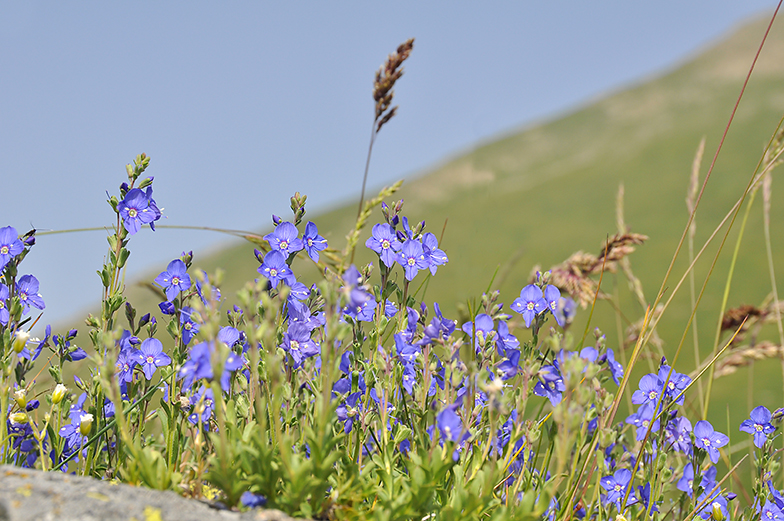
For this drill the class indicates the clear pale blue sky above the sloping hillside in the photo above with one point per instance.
(240, 104)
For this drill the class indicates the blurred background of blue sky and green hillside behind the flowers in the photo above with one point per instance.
(518, 122)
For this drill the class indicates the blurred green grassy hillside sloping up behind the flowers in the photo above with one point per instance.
(541, 193)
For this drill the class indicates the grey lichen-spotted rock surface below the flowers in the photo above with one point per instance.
(53, 496)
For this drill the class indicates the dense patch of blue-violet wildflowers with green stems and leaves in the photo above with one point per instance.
(306, 396)
